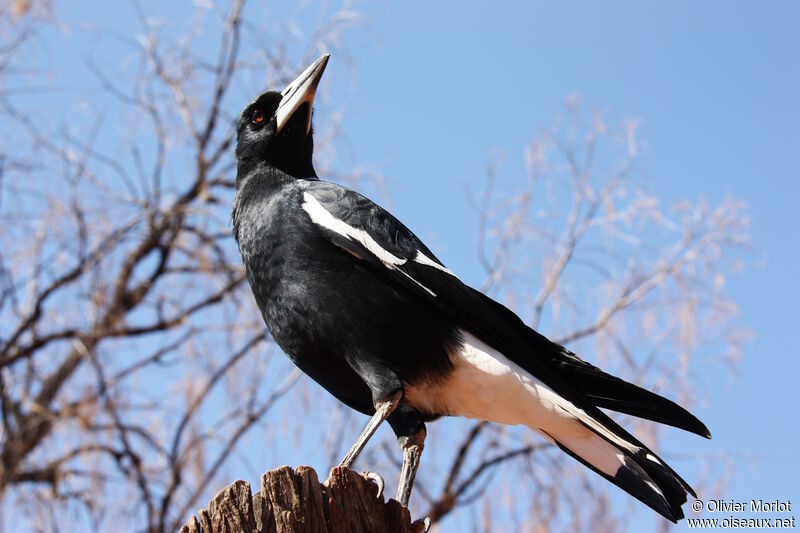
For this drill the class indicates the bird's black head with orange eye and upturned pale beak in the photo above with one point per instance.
(275, 129)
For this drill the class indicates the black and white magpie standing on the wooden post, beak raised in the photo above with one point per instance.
(364, 308)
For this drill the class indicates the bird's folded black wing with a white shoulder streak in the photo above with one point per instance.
(404, 259)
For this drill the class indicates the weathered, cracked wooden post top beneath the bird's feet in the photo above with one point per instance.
(296, 502)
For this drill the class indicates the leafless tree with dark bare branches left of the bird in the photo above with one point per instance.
(132, 359)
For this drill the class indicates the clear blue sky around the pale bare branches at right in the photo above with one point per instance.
(439, 88)
